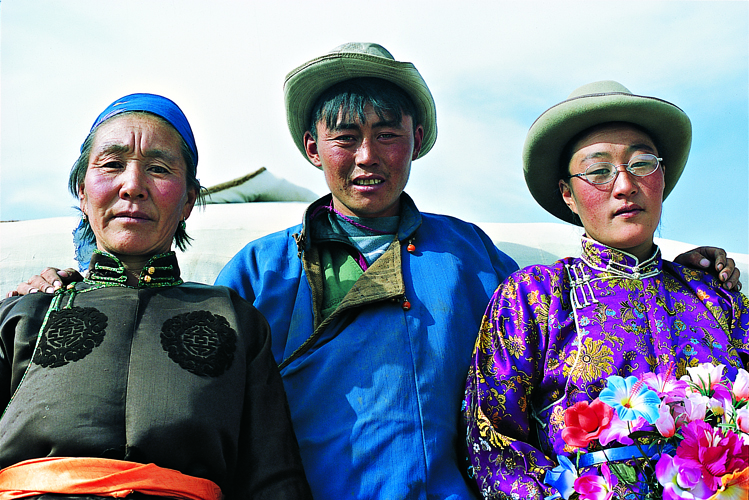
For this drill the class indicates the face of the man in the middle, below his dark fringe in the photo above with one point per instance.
(366, 165)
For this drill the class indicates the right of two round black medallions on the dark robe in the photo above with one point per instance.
(200, 342)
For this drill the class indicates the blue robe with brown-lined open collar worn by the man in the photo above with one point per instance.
(376, 395)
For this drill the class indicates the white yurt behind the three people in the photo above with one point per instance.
(259, 203)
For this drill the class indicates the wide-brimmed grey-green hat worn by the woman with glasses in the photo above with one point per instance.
(595, 104)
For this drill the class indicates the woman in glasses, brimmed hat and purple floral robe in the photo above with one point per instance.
(604, 159)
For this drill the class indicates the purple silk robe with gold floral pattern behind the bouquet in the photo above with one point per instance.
(552, 334)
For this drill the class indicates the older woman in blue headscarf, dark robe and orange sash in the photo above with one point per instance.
(133, 382)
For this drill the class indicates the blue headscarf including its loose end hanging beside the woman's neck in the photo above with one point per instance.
(151, 103)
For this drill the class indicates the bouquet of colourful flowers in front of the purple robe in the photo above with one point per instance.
(657, 437)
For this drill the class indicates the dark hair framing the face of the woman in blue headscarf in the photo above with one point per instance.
(78, 175)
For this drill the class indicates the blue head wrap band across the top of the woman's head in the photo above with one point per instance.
(154, 104)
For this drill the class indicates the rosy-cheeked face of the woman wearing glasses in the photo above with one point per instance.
(624, 213)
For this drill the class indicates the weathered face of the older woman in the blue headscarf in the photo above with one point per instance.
(135, 189)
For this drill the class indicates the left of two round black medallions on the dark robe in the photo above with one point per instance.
(70, 335)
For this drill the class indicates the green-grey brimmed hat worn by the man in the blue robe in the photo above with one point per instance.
(304, 85)
